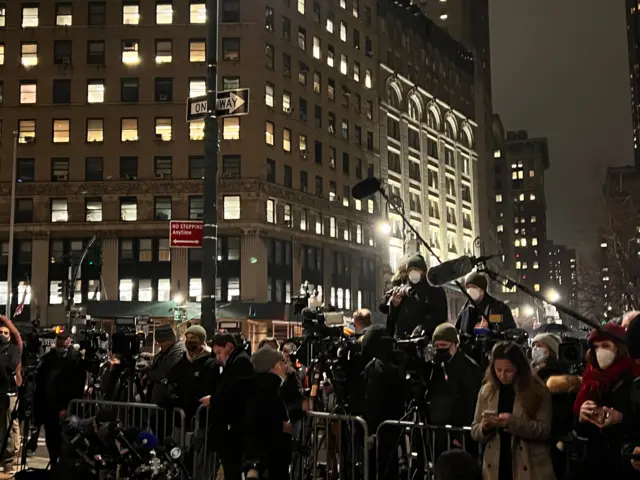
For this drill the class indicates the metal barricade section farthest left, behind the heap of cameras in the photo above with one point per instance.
(144, 416)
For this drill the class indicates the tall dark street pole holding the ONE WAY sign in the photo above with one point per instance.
(210, 229)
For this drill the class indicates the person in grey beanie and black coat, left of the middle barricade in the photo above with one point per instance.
(268, 426)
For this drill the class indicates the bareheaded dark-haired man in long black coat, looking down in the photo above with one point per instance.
(228, 403)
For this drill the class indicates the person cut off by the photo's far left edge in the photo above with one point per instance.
(9, 380)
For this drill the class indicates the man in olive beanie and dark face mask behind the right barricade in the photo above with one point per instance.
(454, 383)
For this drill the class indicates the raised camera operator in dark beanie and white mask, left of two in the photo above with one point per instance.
(421, 305)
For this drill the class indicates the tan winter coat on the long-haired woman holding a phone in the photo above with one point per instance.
(530, 435)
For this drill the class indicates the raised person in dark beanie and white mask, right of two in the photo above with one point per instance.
(484, 307)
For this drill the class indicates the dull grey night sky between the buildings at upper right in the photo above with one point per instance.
(559, 69)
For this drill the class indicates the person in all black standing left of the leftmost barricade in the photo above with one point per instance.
(60, 378)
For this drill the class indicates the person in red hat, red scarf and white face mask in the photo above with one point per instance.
(608, 405)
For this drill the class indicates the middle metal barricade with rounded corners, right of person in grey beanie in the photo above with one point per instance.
(331, 446)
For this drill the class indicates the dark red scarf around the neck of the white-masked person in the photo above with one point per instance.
(596, 382)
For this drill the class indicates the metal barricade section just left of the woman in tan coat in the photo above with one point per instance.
(412, 448)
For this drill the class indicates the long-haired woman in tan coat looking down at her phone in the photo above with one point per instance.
(513, 418)
